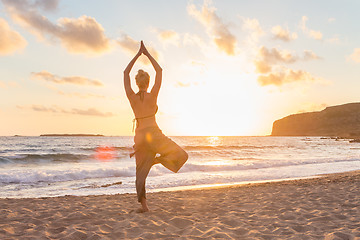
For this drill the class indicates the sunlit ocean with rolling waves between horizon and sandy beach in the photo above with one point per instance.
(58, 166)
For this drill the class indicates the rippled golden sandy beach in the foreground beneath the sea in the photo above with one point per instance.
(320, 208)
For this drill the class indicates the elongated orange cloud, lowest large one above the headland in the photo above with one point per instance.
(284, 76)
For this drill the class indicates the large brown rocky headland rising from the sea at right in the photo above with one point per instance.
(340, 121)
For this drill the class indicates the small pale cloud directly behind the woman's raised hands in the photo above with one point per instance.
(132, 46)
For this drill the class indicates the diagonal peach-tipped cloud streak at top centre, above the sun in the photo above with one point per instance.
(216, 29)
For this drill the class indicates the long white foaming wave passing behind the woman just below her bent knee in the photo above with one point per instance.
(94, 171)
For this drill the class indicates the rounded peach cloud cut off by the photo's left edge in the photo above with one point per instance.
(10, 40)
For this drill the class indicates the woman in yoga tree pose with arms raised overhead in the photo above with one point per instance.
(149, 140)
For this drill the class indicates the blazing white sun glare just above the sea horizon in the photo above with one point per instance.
(217, 107)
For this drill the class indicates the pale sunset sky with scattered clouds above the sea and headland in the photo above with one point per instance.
(230, 67)
